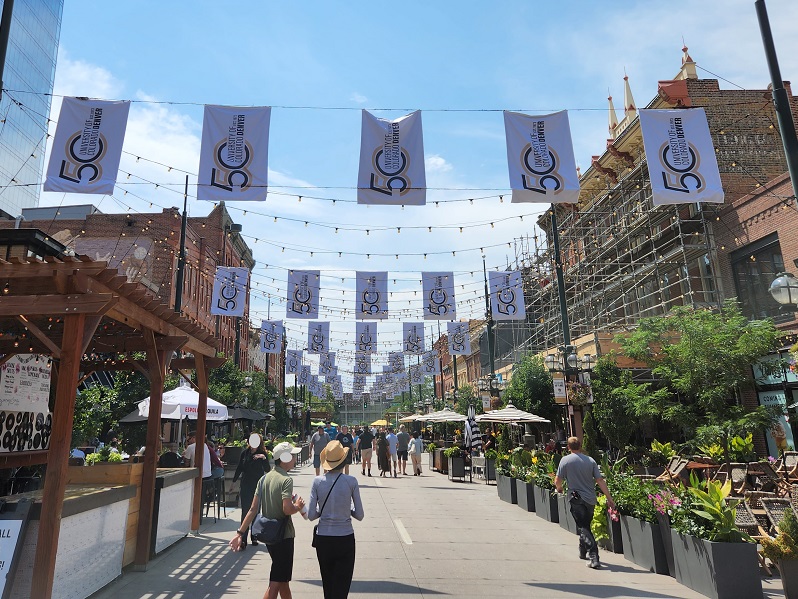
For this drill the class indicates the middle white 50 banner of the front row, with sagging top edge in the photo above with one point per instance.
(392, 161)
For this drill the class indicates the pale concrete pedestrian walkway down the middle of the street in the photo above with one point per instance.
(421, 537)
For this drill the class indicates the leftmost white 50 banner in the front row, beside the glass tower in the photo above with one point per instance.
(87, 146)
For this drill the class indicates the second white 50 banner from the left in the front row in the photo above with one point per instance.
(234, 157)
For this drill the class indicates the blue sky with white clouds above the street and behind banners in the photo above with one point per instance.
(459, 62)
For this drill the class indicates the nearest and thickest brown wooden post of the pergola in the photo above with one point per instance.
(60, 442)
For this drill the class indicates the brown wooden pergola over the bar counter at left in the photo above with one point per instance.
(88, 318)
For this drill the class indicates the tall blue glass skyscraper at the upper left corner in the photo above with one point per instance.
(28, 80)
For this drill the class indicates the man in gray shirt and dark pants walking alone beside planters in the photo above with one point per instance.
(582, 474)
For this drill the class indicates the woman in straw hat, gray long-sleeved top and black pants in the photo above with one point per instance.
(331, 499)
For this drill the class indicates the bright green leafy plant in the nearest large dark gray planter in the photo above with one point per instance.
(710, 554)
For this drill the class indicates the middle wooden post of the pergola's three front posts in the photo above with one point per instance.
(156, 364)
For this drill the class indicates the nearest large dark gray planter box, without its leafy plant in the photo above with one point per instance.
(717, 570)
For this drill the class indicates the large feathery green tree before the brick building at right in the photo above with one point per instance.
(705, 358)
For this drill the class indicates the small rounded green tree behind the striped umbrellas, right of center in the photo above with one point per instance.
(530, 388)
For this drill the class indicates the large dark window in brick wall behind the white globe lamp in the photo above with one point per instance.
(754, 267)
